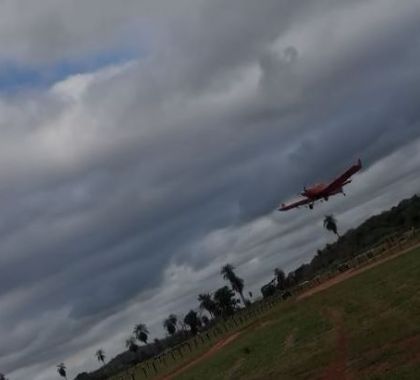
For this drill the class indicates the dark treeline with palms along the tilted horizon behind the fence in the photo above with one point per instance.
(223, 303)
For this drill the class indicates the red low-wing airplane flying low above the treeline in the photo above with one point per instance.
(323, 191)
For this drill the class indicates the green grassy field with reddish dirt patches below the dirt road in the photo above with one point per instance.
(367, 327)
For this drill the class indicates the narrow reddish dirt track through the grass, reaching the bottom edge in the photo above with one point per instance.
(338, 368)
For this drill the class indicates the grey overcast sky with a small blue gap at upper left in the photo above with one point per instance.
(144, 144)
